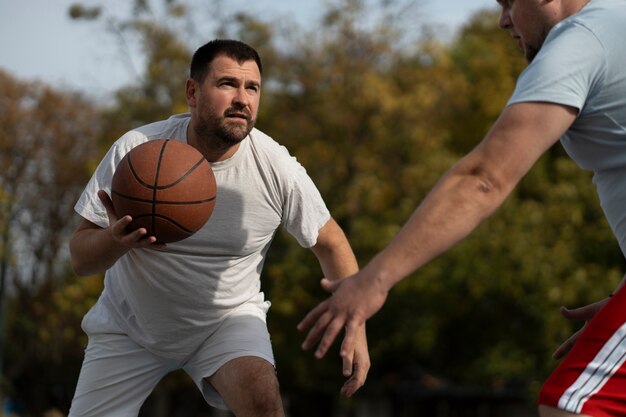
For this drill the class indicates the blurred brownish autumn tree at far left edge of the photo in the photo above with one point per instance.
(46, 142)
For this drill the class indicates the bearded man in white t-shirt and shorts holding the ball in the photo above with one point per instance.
(196, 304)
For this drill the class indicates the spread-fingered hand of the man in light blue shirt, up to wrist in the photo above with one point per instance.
(354, 300)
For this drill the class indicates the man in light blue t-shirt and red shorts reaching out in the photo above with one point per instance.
(574, 89)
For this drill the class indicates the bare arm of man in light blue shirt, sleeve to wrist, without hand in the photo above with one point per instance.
(473, 189)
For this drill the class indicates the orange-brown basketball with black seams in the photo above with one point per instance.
(167, 187)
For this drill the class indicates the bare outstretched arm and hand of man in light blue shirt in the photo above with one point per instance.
(467, 194)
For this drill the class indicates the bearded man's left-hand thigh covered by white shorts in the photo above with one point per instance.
(116, 377)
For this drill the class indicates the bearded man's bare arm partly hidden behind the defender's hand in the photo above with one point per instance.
(338, 261)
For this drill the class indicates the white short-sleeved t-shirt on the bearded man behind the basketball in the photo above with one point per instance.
(171, 300)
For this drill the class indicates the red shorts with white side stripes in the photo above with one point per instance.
(592, 378)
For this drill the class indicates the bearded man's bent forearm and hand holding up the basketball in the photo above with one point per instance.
(94, 249)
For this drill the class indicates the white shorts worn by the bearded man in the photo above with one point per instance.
(117, 375)
